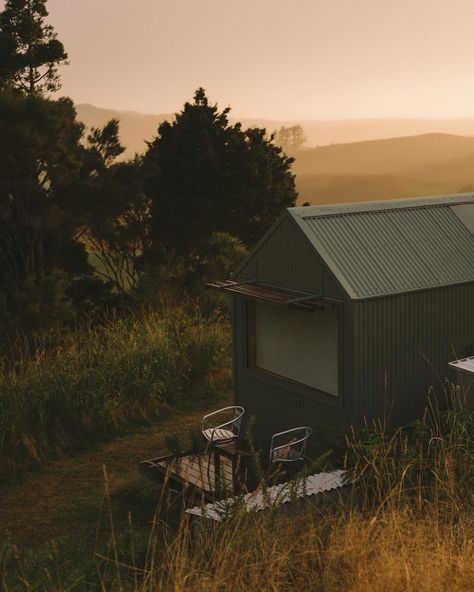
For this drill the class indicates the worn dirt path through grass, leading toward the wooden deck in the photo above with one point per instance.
(48, 505)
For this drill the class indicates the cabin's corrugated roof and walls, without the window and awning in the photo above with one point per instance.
(421, 253)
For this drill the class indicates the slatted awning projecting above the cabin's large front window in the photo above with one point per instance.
(276, 296)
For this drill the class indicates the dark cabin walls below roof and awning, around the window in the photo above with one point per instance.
(394, 350)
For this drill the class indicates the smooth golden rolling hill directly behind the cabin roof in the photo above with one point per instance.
(428, 164)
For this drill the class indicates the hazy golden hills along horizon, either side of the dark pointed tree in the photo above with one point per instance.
(354, 161)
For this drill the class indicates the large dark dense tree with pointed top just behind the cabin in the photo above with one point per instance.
(203, 176)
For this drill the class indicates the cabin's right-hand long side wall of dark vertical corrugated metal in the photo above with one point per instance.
(409, 338)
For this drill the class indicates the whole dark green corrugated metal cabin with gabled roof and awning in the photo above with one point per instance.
(352, 312)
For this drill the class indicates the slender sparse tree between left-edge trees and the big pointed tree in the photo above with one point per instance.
(114, 210)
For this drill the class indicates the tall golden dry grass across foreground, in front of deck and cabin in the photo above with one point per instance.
(408, 526)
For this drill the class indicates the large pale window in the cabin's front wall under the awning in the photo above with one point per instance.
(294, 344)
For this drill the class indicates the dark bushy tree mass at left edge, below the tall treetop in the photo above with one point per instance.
(58, 197)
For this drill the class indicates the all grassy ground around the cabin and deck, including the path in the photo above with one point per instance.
(109, 392)
